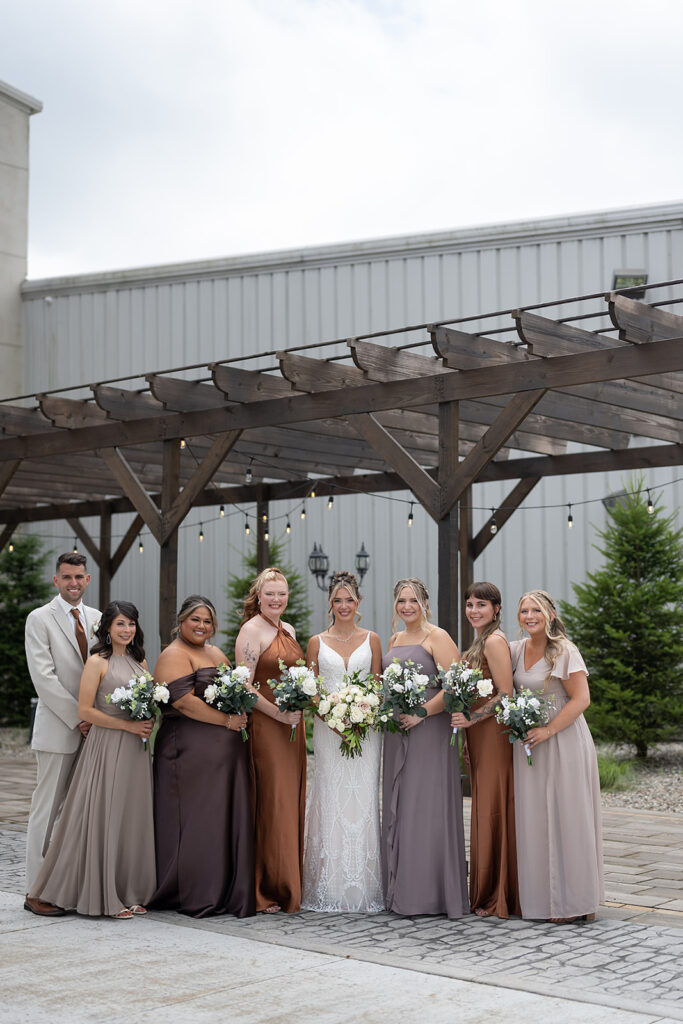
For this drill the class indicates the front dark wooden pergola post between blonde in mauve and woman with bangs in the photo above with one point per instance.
(448, 526)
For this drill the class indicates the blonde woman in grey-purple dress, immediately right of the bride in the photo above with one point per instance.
(423, 840)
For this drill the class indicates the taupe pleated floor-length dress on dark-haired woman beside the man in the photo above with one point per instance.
(102, 857)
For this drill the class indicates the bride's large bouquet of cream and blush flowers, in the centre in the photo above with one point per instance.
(353, 710)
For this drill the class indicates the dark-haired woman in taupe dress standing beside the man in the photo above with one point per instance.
(102, 858)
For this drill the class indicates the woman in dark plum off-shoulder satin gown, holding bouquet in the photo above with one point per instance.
(202, 808)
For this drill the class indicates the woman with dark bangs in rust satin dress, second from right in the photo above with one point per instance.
(494, 889)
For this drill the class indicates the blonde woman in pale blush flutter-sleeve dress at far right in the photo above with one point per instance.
(558, 800)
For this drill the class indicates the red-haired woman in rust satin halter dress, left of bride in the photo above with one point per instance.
(278, 766)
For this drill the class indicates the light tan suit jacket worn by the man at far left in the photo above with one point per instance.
(56, 666)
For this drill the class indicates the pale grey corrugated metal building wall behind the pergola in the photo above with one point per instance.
(101, 327)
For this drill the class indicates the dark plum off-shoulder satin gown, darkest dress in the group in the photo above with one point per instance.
(205, 850)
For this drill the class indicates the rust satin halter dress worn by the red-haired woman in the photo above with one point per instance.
(278, 771)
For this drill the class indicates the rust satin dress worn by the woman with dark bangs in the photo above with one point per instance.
(493, 844)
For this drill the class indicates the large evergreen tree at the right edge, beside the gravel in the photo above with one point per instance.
(628, 624)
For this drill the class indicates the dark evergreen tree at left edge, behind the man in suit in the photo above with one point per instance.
(23, 588)
